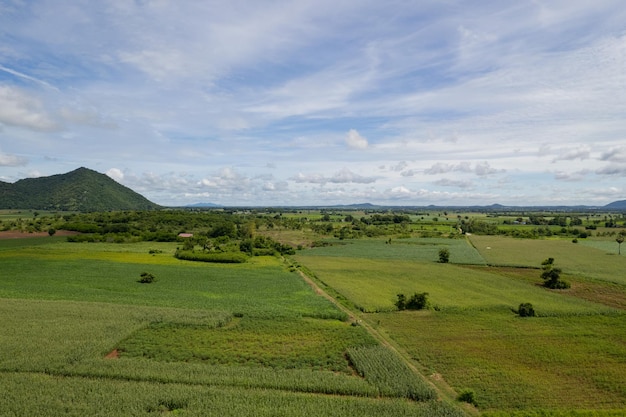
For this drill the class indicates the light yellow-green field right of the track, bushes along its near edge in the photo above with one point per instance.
(373, 285)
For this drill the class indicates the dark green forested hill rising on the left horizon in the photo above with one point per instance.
(80, 190)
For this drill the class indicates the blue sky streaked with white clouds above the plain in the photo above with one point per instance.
(270, 102)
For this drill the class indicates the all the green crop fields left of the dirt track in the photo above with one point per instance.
(81, 336)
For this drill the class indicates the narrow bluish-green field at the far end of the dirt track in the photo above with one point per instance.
(416, 249)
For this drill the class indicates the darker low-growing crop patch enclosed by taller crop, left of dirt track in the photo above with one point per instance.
(282, 344)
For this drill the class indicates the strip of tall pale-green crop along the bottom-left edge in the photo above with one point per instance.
(79, 397)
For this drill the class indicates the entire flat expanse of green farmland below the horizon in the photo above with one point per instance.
(254, 338)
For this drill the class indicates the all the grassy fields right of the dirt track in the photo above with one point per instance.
(568, 361)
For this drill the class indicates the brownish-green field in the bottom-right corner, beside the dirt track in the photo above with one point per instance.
(550, 363)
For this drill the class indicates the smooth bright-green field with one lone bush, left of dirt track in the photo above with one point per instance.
(95, 272)
